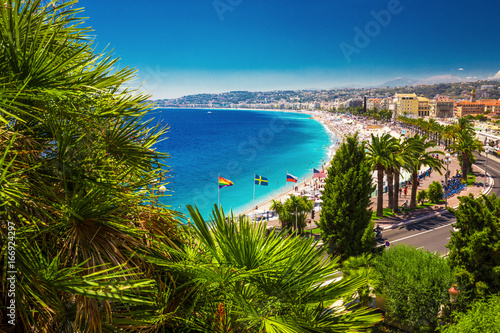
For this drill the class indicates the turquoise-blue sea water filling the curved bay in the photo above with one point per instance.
(204, 144)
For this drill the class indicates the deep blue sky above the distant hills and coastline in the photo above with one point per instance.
(185, 47)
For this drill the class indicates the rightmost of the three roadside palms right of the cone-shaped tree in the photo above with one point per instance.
(421, 155)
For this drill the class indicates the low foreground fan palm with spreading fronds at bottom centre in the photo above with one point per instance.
(242, 281)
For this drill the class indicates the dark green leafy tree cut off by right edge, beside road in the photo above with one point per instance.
(475, 246)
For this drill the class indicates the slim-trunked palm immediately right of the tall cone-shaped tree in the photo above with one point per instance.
(380, 156)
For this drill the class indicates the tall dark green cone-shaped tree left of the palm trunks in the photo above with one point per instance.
(345, 216)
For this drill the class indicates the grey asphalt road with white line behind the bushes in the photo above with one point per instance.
(433, 234)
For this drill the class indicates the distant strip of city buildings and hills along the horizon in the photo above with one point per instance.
(400, 101)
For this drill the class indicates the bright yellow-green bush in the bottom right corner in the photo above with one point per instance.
(481, 317)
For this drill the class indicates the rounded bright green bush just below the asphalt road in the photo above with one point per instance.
(414, 283)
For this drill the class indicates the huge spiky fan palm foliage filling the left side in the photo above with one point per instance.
(76, 143)
